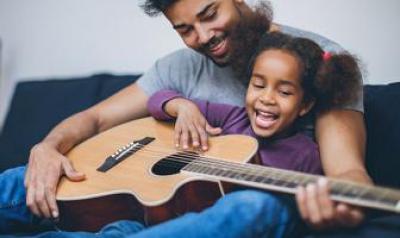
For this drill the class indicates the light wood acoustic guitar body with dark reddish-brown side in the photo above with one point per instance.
(132, 189)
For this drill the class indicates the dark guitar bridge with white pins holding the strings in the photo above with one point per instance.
(123, 153)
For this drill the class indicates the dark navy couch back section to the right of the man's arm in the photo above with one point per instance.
(382, 115)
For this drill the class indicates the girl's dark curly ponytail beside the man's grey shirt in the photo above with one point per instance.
(338, 80)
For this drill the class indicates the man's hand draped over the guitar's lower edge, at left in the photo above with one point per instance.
(46, 166)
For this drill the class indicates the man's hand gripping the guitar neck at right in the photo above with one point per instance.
(320, 212)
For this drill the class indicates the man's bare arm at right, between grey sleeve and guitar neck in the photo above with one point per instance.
(341, 137)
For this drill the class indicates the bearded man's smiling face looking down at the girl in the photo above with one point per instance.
(206, 25)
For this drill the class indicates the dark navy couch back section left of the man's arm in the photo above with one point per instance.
(37, 106)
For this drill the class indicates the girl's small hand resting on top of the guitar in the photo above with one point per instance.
(190, 125)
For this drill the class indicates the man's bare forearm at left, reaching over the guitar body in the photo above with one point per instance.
(127, 104)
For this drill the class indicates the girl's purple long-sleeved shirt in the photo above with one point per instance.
(297, 152)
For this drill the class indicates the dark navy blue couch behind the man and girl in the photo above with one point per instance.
(37, 106)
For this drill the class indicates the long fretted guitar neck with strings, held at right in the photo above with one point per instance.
(287, 181)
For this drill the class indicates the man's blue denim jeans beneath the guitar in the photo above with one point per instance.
(244, 213)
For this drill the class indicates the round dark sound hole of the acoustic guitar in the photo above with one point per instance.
(174, 163)
